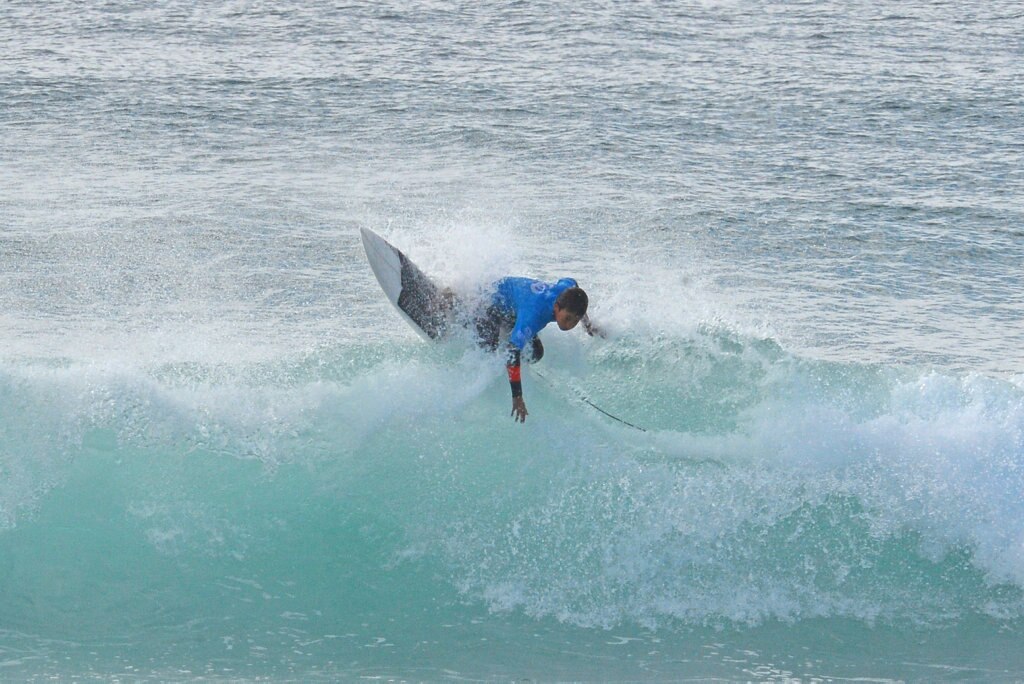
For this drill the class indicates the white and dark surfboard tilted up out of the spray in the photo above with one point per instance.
(424, 305)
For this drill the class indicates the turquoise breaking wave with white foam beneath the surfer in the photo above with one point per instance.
(767, 486)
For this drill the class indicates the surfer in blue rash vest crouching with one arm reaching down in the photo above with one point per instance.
(525, 307)
